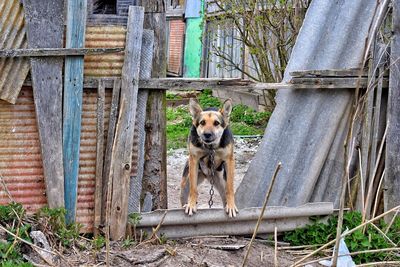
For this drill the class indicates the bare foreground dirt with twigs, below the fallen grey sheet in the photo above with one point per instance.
(205, 251)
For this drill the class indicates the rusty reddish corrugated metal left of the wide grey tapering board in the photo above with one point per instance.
(20, 158)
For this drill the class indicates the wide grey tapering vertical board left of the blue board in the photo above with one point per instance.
(45, 28)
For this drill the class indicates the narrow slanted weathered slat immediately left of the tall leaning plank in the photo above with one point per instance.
(112, 121)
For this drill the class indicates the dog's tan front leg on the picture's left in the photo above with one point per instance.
(191, 206)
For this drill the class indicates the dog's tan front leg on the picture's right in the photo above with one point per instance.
(230, 208)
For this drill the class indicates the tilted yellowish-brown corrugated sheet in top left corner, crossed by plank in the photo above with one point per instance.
(13, 71)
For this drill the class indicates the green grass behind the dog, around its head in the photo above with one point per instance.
(244, 120)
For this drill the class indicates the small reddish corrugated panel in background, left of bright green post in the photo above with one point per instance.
(175, 45)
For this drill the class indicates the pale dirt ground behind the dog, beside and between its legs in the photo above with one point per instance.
(245, 149)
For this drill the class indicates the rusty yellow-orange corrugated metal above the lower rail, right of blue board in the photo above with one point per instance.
(107, 65)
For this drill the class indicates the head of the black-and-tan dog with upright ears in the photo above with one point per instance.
(210, 123)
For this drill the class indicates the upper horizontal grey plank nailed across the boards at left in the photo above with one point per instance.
(53, 52)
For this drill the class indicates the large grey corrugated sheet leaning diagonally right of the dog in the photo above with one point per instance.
(307, 130)
